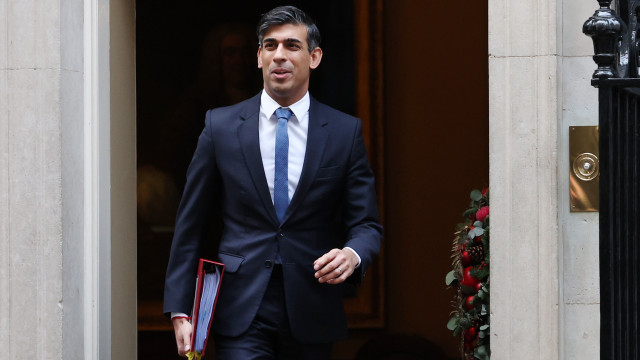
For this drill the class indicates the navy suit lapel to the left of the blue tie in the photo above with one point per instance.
(250, 144)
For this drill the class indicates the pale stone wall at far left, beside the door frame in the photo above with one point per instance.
(41, 177)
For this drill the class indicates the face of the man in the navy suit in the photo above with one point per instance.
(286, 62)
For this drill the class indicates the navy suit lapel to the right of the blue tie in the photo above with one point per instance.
(316, 141)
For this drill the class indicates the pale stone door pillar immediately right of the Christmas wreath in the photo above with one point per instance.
(523, 171)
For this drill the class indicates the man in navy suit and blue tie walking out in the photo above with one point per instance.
(291, 181)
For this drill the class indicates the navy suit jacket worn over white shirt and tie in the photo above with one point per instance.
(333, 206)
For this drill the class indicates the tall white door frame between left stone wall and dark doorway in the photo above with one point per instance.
(110, 319)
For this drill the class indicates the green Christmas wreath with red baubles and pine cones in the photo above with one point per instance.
(470, 278)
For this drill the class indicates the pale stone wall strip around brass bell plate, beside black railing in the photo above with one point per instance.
(580, 295)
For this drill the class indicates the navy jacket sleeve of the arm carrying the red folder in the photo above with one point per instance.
(192, 224)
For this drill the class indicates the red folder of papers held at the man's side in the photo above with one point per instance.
(205, 267)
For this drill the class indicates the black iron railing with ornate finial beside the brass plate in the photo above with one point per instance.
(616, 53)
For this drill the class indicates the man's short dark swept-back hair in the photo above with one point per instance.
(289, 15)
